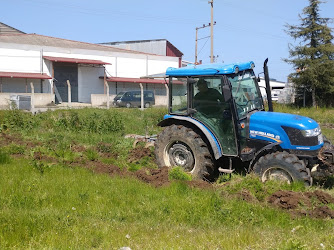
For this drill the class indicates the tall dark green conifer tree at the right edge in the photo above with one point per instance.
(313, 58)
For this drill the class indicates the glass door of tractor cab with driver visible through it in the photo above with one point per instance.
(214, 111)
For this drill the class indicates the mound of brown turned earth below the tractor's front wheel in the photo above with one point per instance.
(313, 204)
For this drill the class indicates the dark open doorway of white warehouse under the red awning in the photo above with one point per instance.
(62, 73)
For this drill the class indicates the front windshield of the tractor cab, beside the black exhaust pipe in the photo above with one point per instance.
(245, 92)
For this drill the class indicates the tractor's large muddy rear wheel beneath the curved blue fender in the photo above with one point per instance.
(178, 145)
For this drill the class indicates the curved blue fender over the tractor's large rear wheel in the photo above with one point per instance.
(215, 146)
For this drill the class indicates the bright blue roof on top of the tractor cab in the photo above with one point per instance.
(209, 69)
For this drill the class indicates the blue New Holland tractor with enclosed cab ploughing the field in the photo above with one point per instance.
(217, 121)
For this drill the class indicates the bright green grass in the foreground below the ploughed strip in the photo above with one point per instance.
(74, 208)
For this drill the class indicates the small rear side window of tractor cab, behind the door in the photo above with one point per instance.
(179, 95)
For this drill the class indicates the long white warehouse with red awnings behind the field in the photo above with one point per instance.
(45, 65)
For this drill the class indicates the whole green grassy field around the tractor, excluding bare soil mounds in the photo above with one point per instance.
(51, 198)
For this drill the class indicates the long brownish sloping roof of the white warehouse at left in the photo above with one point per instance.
(39, 40)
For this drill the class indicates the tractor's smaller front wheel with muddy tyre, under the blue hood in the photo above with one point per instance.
(284, 167)
